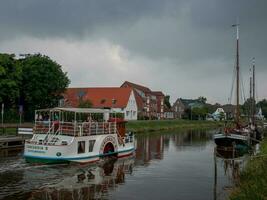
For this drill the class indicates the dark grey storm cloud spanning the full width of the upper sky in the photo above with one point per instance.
(187, 30)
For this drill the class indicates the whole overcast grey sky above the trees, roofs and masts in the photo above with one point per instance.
(186, 48)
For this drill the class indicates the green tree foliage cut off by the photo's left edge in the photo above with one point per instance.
(10, 77)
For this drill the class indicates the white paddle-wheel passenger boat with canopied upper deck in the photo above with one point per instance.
(74, 135)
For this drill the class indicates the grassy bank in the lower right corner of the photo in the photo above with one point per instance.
(253, 180)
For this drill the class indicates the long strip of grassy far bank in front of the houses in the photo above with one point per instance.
(157, 125)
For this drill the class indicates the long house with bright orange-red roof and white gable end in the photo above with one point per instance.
(120, 100)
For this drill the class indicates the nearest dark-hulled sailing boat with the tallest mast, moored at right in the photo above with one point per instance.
(239, 135)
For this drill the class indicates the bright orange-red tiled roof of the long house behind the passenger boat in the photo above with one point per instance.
(101, 97)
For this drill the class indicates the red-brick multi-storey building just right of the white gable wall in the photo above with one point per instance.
(150, 103)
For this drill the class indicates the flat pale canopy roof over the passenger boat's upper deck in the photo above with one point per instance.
(75, 110)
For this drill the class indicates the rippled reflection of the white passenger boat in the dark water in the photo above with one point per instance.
(89, 182)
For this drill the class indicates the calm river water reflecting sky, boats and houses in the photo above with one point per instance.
(167, 165)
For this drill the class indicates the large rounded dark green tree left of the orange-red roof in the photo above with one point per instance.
(43, 82)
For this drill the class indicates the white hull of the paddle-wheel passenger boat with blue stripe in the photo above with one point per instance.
(51, 154)
